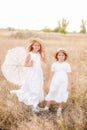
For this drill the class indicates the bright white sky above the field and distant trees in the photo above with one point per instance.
(38, 14)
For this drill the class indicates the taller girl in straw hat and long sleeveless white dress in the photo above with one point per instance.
(31, 93)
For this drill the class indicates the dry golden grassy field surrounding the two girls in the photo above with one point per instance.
(18, 116)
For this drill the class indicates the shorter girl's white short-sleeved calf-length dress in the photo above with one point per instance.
(59, 84)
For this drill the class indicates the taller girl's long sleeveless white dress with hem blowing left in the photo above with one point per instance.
(31, 92)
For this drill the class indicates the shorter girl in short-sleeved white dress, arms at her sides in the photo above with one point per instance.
(60, 81)
